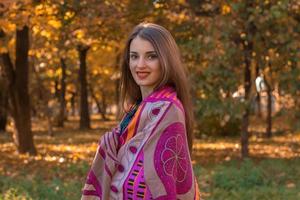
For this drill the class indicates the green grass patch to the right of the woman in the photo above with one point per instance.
(270, 179)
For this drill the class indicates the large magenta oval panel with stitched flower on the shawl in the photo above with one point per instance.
(172, 162)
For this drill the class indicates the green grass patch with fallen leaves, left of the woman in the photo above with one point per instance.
(34, 186)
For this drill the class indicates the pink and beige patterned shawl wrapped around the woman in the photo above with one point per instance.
(150, 160)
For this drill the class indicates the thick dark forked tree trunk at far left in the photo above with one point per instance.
(19, 101)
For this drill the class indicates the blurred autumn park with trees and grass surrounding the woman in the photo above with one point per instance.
(59, 79)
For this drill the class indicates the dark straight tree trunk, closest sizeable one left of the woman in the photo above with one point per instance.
(84, 107)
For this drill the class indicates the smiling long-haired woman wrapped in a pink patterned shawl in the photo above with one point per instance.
(147, 155)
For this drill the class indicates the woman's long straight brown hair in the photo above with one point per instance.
(173, 71)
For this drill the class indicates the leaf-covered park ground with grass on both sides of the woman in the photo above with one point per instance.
(59, 169)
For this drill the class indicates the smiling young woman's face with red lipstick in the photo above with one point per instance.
(144, 64)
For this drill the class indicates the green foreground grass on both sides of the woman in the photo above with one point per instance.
(270, 179)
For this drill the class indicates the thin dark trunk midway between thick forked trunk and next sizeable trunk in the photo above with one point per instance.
(62, 109)
